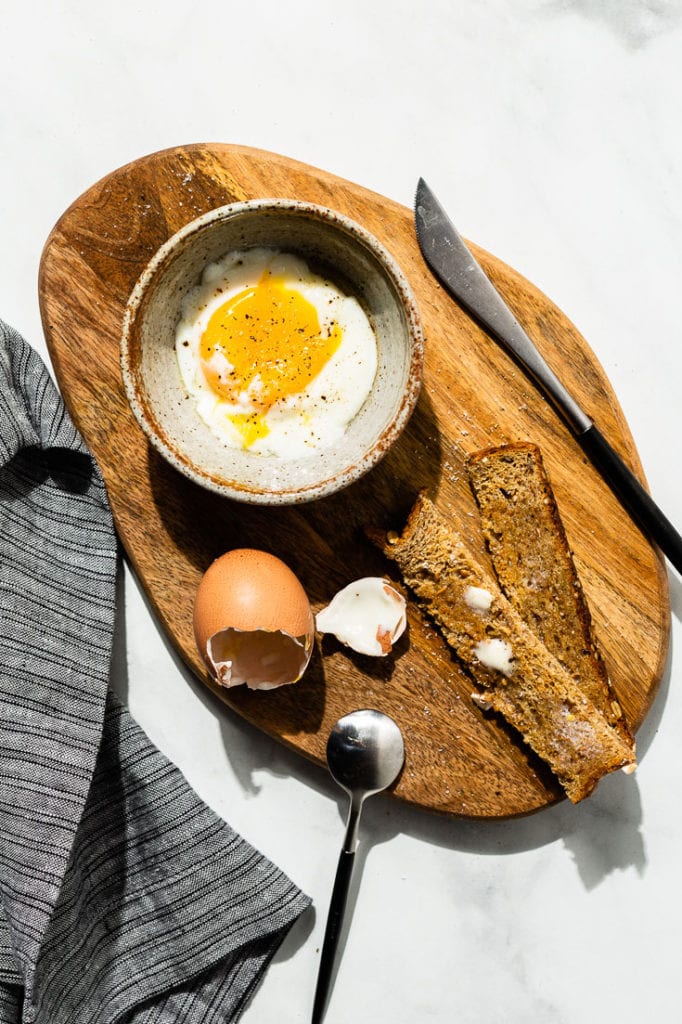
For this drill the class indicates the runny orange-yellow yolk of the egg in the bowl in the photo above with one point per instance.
(266, 344)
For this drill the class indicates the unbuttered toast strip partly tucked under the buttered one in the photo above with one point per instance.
(535, 568)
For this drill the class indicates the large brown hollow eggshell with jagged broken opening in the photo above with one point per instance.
(253, 622)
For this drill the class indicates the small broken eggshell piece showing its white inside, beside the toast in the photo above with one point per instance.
(368, 616)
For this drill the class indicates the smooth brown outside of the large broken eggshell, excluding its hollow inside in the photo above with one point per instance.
(247, 589)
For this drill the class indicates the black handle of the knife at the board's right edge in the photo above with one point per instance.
(633, 496)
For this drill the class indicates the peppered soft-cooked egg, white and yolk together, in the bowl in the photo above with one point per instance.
(277, 359)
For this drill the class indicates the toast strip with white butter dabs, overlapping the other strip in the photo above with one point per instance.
(538, 697)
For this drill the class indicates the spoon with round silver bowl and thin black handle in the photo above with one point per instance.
(365, 754)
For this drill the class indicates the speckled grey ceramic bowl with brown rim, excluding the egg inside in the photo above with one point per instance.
(344, 251)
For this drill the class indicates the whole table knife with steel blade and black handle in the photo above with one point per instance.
(453, 264)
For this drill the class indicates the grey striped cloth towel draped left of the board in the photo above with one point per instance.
(122, 897)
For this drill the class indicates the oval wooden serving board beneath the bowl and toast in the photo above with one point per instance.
(459, 760)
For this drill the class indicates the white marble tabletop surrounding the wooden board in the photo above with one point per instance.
(551, 129)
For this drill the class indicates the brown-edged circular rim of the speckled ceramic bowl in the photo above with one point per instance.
(339, 481)
